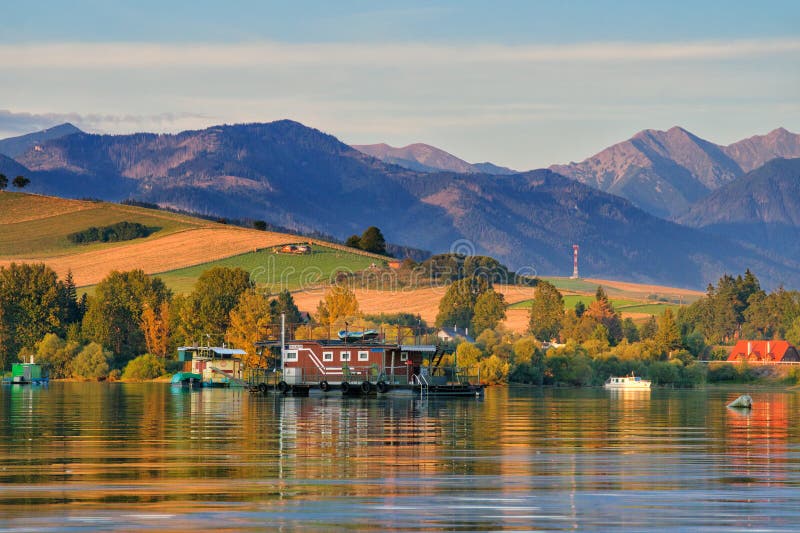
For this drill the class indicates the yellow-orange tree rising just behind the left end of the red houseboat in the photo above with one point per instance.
(247, 322)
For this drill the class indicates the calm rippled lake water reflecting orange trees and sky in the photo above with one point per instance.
(83, 456)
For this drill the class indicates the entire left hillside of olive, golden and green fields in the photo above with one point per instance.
(35, 228)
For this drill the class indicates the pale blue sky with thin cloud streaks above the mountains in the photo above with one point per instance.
(523, 84)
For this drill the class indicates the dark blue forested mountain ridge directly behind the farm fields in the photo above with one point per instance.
(297, 177)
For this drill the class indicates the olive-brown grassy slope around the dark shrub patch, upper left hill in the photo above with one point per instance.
(38, 226)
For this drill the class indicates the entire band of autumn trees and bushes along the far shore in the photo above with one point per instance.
(130, 327)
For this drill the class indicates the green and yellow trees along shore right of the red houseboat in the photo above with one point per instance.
(585, 345)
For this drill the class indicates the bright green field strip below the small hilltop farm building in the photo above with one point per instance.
(276, 271)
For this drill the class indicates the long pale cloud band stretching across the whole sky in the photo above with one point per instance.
(201, 55)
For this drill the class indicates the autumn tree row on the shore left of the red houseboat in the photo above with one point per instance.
(131, 318)
